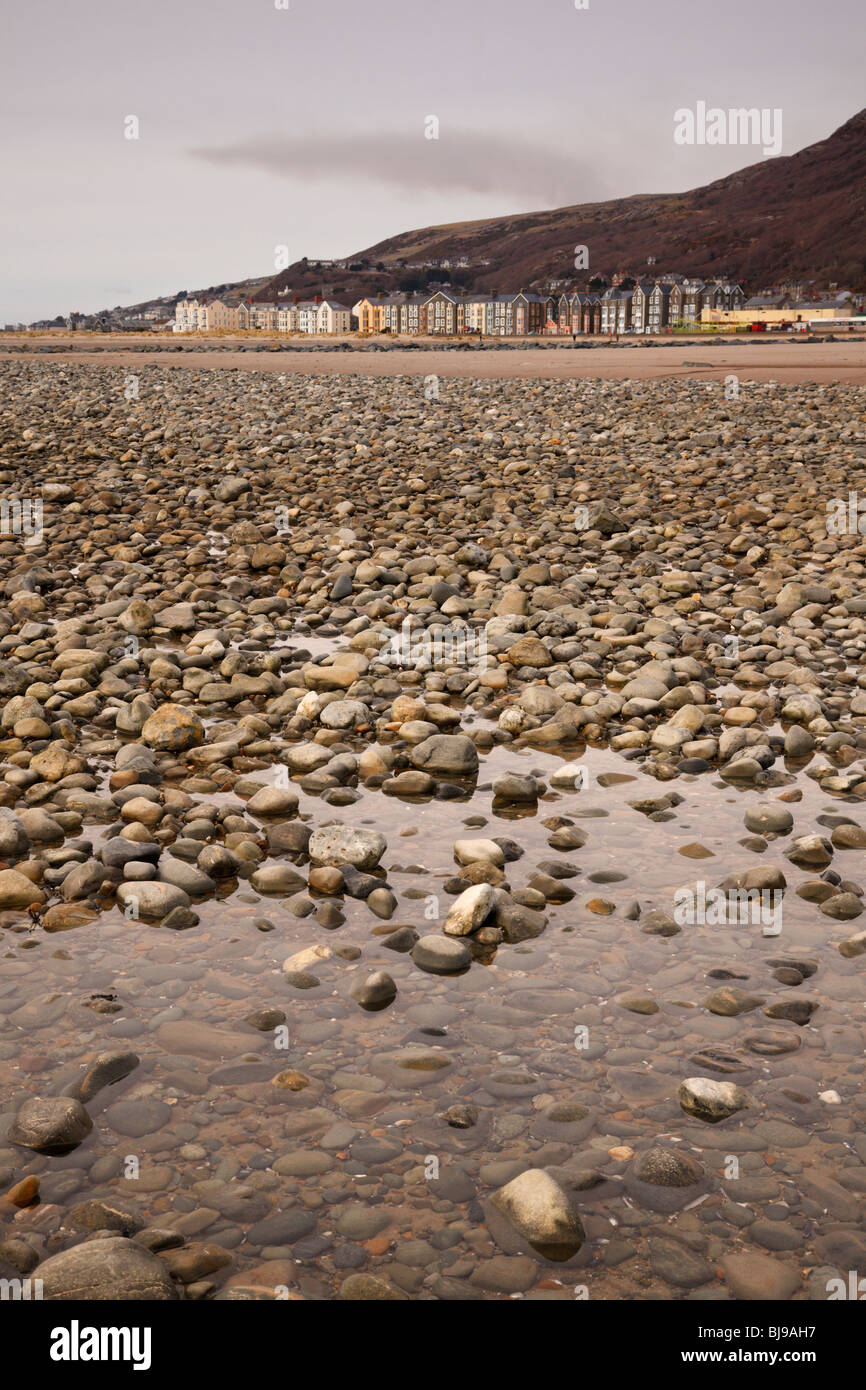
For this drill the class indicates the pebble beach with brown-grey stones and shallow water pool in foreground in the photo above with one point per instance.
(380, 760)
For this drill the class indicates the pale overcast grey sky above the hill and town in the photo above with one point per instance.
(307, 127)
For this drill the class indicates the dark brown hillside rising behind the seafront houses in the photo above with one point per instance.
(799, 218)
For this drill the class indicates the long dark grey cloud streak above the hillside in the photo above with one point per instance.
(459, 161)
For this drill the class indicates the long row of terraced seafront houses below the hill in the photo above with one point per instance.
(653, 306)
